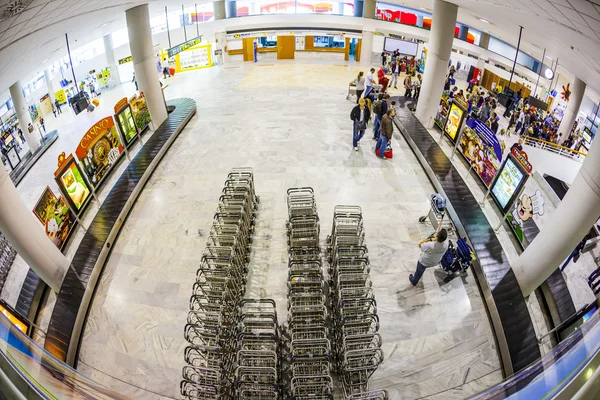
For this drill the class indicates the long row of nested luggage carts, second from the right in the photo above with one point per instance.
(308, 349)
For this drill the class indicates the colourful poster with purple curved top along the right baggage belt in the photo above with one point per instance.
(481, 148)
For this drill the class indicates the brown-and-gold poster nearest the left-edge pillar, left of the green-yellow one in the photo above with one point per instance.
(56, 217)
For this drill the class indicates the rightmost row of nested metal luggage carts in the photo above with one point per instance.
(355, 324)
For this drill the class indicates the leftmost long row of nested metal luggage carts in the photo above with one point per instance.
(213, 322)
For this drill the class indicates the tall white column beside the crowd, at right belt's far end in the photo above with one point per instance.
(439, 47)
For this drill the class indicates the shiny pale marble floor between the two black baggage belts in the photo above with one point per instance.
(290, 123)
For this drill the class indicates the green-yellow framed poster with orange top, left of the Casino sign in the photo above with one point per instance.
(70, 179)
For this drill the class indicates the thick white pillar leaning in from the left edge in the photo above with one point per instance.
(26, 235)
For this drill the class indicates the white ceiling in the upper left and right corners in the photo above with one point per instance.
(568, 29)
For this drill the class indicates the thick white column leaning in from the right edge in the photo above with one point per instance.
(571, 221)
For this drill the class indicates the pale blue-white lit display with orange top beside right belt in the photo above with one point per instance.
(510, 179)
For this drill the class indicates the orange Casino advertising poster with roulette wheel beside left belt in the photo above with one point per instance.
(99, 149)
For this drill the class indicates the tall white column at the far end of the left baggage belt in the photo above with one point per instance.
(142, 54)
